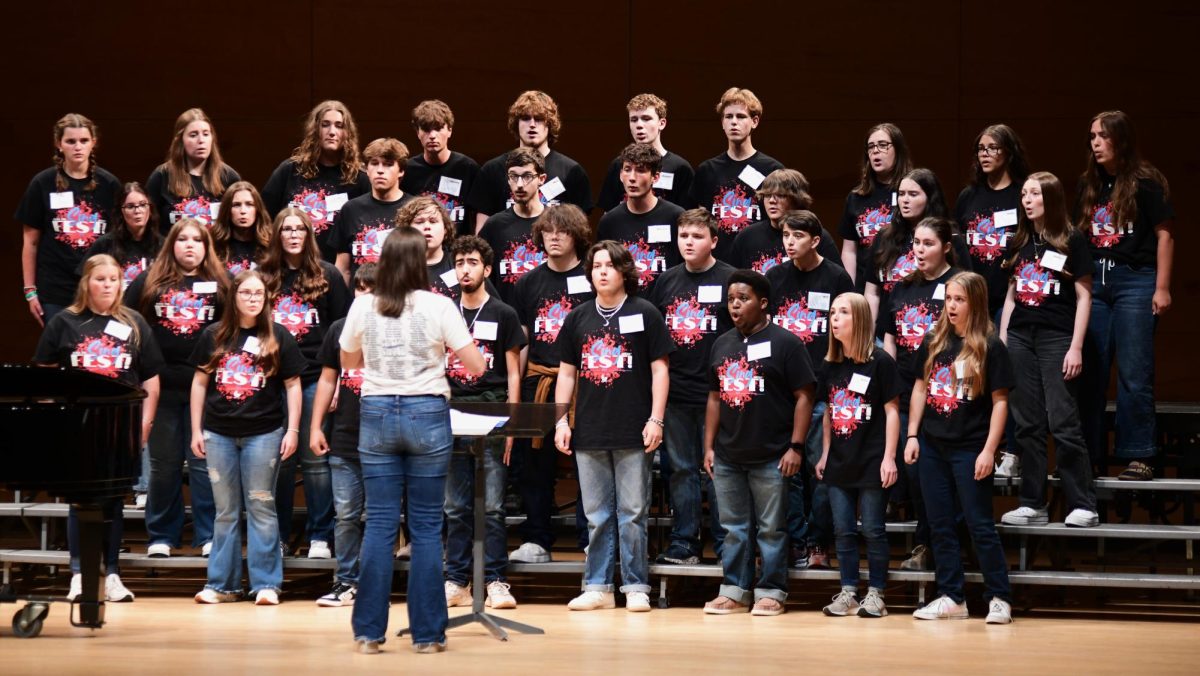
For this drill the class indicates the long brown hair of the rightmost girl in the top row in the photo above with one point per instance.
(1131, 167)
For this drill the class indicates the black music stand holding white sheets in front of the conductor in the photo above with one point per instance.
(526, 421)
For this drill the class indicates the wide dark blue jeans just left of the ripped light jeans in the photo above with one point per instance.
(170, 444)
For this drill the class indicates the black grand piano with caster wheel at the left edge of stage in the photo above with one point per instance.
(76, 436)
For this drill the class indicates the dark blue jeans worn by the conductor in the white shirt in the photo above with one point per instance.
(405, 450)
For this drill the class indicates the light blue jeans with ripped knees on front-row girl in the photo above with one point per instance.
(243, 471)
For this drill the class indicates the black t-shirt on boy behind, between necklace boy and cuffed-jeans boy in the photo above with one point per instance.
(694, 307)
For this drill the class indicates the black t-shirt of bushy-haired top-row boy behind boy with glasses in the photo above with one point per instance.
(567, 183)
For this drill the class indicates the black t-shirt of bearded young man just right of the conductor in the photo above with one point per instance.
(497, 331)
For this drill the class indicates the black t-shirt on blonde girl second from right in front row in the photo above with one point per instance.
(859, 423)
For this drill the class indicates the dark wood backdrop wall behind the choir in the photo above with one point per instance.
(826, 73)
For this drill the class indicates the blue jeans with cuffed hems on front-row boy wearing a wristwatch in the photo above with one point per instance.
(753, 495)
